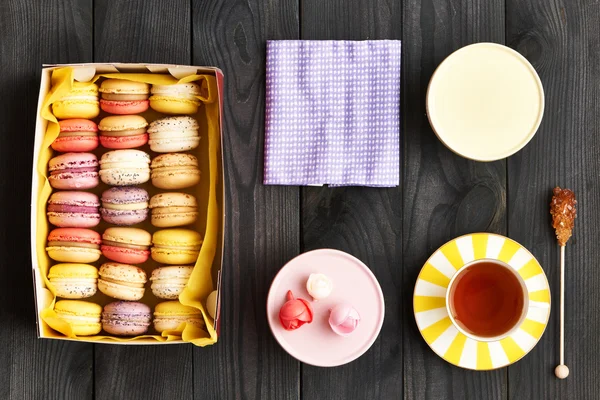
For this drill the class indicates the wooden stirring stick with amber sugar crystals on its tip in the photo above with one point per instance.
(563, 211)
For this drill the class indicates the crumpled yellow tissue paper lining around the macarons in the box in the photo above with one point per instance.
(200, 284)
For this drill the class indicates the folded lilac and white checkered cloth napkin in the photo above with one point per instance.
(332, 113)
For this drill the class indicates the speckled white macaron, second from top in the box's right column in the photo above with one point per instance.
(173, 134)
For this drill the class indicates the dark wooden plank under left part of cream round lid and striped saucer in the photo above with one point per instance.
(444, 195)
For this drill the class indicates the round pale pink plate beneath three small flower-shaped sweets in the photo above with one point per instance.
(353, 283)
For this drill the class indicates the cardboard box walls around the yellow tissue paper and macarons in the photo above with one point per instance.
(85, 73)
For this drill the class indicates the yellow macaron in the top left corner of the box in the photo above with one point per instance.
(80, 102)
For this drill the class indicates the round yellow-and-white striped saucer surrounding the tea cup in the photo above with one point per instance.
(430, 303)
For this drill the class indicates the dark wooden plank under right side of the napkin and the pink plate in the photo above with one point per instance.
(365, 222)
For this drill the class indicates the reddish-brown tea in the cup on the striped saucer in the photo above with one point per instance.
(486, 299)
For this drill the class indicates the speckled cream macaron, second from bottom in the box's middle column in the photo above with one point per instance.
(122, 281)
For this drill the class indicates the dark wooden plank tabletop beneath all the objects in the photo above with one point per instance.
(391, 230)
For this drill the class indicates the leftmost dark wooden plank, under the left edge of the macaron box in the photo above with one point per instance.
(32, 33)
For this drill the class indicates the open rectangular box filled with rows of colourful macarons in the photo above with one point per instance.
(127, 204)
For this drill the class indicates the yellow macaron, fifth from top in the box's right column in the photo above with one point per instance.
(176, 246)
